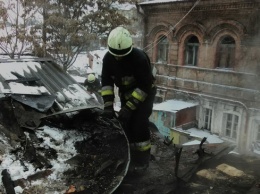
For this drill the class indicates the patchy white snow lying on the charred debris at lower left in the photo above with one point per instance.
(66, 151)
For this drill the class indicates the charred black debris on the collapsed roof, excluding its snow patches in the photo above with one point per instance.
(102, 149)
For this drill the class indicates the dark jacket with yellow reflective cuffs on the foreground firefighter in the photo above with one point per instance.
(132, 74)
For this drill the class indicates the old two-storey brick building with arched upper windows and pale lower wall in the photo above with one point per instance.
(209, 51)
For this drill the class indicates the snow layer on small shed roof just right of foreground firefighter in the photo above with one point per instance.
(173, 105)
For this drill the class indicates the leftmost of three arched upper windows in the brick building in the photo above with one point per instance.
(162, 49)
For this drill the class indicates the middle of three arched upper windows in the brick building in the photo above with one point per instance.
(191, 51)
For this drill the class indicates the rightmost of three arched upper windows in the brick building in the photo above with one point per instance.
(226, 53)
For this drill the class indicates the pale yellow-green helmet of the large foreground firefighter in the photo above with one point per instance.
(120, 42)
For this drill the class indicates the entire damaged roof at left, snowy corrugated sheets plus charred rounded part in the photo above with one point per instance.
(52, 135)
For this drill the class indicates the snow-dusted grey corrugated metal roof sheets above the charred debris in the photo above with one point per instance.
(39, 83)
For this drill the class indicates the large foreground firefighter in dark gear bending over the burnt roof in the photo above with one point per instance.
(130, 70)
